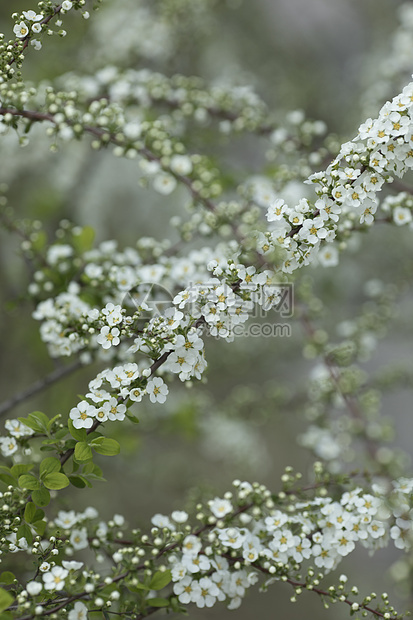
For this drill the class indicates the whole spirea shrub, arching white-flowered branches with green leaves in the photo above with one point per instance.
(142, 316)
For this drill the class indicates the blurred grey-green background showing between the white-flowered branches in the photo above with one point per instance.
(325, 57)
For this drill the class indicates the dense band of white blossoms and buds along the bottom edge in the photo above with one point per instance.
(244, 536)
